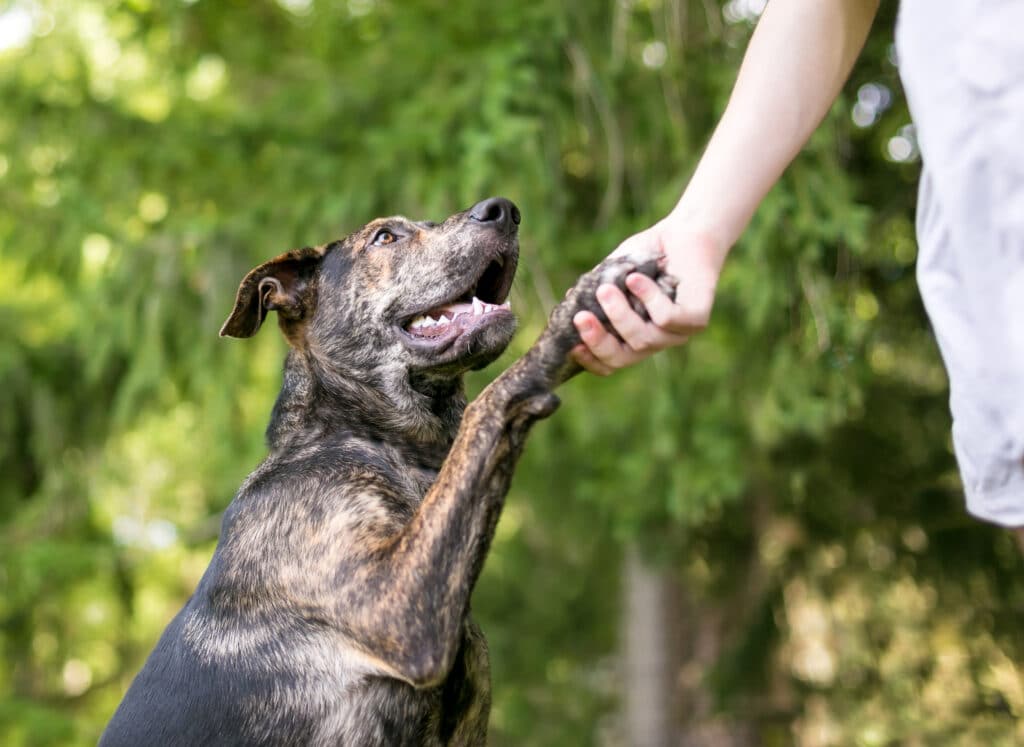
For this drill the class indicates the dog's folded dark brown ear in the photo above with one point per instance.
(281, 284)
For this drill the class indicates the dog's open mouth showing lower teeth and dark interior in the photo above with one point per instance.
(485, 301)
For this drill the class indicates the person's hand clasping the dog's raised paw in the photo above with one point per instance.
(694, 259)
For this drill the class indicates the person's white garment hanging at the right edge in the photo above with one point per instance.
(962, 63)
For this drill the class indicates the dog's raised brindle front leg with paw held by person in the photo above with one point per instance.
(424, 578)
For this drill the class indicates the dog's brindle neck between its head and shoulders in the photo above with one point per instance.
(318, 405)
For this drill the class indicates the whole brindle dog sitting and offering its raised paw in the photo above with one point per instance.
(336, 608)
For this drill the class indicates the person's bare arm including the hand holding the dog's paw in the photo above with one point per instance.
(798, 60)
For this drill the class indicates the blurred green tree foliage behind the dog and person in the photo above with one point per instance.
(759, 539)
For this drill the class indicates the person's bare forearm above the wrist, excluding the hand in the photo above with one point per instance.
(798, 60)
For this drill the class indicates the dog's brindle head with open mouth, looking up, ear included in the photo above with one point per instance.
(428, 298)
